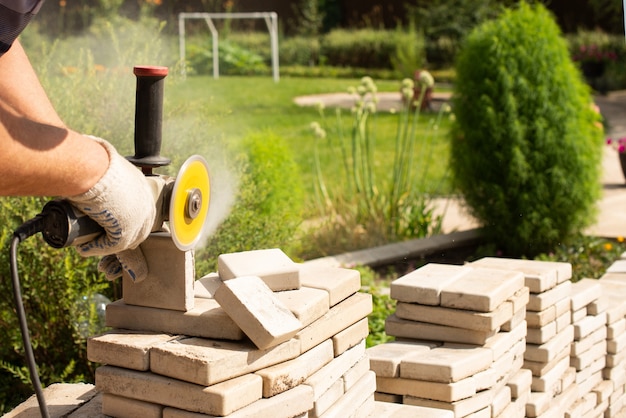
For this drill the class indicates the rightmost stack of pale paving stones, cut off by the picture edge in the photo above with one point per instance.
(613, 300)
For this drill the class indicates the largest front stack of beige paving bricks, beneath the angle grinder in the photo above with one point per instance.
(264, 337)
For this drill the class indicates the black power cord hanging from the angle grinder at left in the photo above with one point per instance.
(29, 228)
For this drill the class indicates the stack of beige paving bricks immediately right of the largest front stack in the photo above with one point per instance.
(460, 338)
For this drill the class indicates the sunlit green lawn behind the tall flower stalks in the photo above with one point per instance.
(234, 106)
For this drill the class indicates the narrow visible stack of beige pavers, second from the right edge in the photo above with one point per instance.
(588, 351)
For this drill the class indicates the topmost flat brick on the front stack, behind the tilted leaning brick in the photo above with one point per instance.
(272, 265)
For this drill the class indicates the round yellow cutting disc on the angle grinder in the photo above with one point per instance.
(189, 204)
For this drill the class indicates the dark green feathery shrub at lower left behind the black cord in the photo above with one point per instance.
(53, 282)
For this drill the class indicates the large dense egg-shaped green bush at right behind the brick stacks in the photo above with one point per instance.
(526, 145)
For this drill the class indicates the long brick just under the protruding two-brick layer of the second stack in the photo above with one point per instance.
(445, 392)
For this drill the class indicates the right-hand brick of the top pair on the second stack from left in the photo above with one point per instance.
(482, 289)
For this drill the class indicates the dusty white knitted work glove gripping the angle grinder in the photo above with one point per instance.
(123, 203)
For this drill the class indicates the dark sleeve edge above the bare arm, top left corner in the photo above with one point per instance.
(14, 16)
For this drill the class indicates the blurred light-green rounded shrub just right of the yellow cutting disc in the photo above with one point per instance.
(267, 209)
